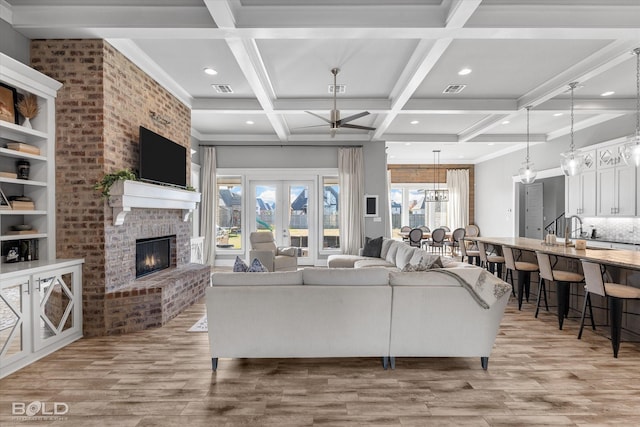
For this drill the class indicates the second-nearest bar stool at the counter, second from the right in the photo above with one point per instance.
(563, 278)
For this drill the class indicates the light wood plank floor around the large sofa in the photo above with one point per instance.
(537, 376)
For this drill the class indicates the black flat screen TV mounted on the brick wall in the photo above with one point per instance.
(162, 161)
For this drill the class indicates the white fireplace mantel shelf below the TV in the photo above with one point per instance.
(125, 195)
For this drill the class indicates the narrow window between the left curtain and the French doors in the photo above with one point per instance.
(229, 218)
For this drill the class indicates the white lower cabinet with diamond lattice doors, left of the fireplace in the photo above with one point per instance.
(40, 311)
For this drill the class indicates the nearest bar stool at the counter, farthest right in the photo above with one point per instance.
(615, 294)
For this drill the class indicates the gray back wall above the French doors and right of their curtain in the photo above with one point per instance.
(315, 157)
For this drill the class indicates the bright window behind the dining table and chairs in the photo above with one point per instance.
(408, 207)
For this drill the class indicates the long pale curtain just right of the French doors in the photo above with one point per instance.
(351, 180)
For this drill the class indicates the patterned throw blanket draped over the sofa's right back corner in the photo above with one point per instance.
(483, 286)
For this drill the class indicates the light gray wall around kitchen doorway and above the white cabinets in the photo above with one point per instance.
(494, 183)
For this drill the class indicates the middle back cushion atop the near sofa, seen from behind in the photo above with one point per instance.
(345, 276)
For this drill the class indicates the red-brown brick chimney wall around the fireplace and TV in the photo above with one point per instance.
(103, 101)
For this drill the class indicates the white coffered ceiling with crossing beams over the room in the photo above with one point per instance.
(395, 60)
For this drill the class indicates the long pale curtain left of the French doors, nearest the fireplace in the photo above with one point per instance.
(209, 203)
